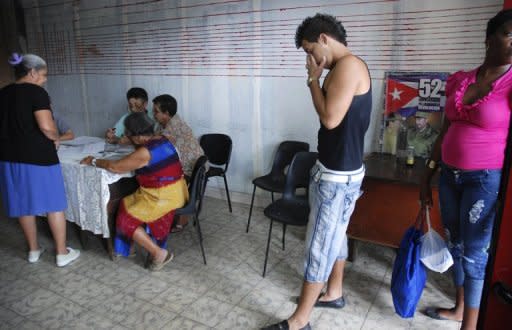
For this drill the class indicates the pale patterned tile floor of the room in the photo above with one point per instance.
(228, 293)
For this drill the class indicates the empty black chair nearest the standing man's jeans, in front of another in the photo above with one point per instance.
(292, 209)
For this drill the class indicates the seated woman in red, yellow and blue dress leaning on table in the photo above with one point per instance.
(162, 190)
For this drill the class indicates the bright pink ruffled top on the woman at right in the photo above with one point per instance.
(477, 135)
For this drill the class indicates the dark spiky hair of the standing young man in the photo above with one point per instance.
(311, 28)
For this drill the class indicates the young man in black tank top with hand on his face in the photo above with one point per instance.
(343, 105)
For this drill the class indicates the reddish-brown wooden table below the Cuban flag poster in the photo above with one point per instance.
(389, 204)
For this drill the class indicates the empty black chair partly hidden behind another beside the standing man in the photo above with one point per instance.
(275, 180)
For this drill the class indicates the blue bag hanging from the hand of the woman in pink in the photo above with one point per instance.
(409, 274)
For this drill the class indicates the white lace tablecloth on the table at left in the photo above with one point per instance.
(87, 189)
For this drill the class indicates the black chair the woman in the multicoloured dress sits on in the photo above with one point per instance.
(195, 201)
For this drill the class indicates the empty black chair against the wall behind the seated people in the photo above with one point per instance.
(217, 148)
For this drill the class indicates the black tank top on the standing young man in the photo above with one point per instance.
(341, 148)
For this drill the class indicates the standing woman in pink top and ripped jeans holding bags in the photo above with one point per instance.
(470, 151)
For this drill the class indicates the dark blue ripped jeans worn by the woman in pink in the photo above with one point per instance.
(468, 209)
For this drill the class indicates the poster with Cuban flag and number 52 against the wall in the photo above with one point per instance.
(415, 99)
